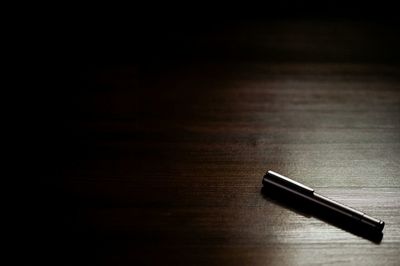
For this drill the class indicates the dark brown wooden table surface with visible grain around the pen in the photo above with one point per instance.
(164, 158)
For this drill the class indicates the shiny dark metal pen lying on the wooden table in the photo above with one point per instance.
(291, 186)
